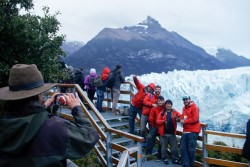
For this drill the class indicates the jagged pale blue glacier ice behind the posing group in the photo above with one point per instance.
(222, 95)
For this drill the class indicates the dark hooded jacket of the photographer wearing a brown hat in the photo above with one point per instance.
(37, 139)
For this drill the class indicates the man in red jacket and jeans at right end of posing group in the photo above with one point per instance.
(191, 130)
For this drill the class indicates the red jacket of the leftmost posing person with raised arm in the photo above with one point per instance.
(137, 100)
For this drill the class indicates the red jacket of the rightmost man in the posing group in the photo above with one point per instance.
(190, 114)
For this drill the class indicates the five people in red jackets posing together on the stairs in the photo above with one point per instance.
(162, 119)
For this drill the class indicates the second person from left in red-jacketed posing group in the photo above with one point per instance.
(149, 101)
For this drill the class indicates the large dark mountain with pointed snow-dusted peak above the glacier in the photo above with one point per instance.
(143, 48)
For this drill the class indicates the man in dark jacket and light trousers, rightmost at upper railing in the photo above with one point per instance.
(118, 79)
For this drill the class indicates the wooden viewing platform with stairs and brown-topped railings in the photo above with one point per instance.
(119, 148)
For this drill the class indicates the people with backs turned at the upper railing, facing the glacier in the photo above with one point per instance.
(109, 78)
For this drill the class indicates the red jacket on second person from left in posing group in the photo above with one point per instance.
(148, 101)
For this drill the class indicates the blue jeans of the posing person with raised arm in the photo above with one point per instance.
(132, 115)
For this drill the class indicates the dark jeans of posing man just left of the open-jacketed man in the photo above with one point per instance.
(153, 132)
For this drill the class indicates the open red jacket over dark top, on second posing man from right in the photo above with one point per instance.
(160, 121)
